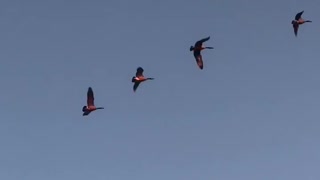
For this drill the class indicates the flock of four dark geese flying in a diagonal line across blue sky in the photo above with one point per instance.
(197, 48)
